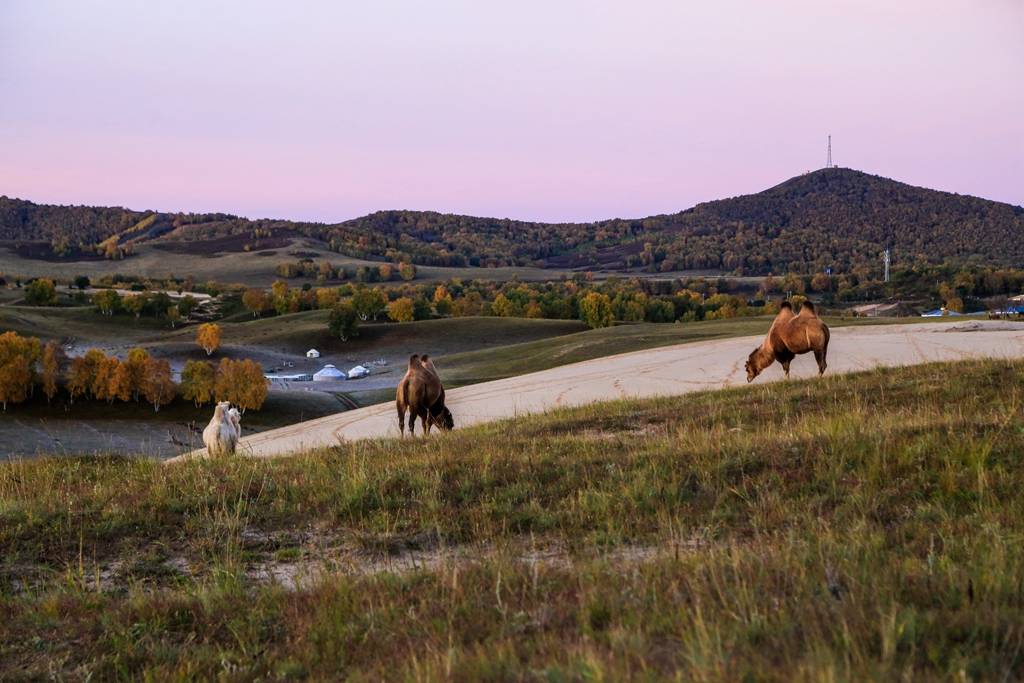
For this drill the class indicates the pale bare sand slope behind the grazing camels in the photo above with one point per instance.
(671, 370)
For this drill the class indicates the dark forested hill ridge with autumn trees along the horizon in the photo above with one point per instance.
(832, 218)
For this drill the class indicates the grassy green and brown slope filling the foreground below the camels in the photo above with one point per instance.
(858, 528)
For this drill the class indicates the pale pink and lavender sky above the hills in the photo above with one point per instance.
(549, 110)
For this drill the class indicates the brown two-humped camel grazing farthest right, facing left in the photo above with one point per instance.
(790, 336)
